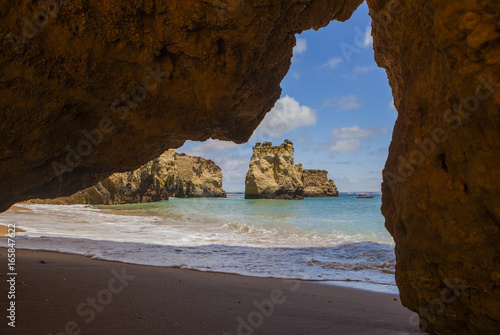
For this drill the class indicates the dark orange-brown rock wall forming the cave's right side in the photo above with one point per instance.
(441, 191)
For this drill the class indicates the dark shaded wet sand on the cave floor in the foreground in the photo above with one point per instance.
(176, 301)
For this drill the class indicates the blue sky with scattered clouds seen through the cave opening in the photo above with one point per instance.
(336, 107)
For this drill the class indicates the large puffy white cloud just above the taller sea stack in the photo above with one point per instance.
(286, 115)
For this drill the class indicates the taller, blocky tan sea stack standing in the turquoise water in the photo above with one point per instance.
(272, 173)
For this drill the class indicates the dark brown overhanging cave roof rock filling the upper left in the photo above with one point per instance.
(104, 87)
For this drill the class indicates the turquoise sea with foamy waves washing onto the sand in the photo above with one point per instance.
(341, 241)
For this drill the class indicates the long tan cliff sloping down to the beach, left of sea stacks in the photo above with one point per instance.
(171, 174)
